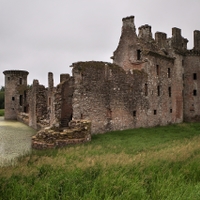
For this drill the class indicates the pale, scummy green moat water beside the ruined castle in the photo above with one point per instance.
(15, 140)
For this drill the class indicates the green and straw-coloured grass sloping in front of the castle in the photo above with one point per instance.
(156, 163)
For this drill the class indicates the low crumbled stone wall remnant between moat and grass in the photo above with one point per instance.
(79, 131)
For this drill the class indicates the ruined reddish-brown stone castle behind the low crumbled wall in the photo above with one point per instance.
(152, 81)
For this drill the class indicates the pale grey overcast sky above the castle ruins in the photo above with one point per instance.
(43, 36)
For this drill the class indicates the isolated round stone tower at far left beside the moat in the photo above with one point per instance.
(15, 92)
